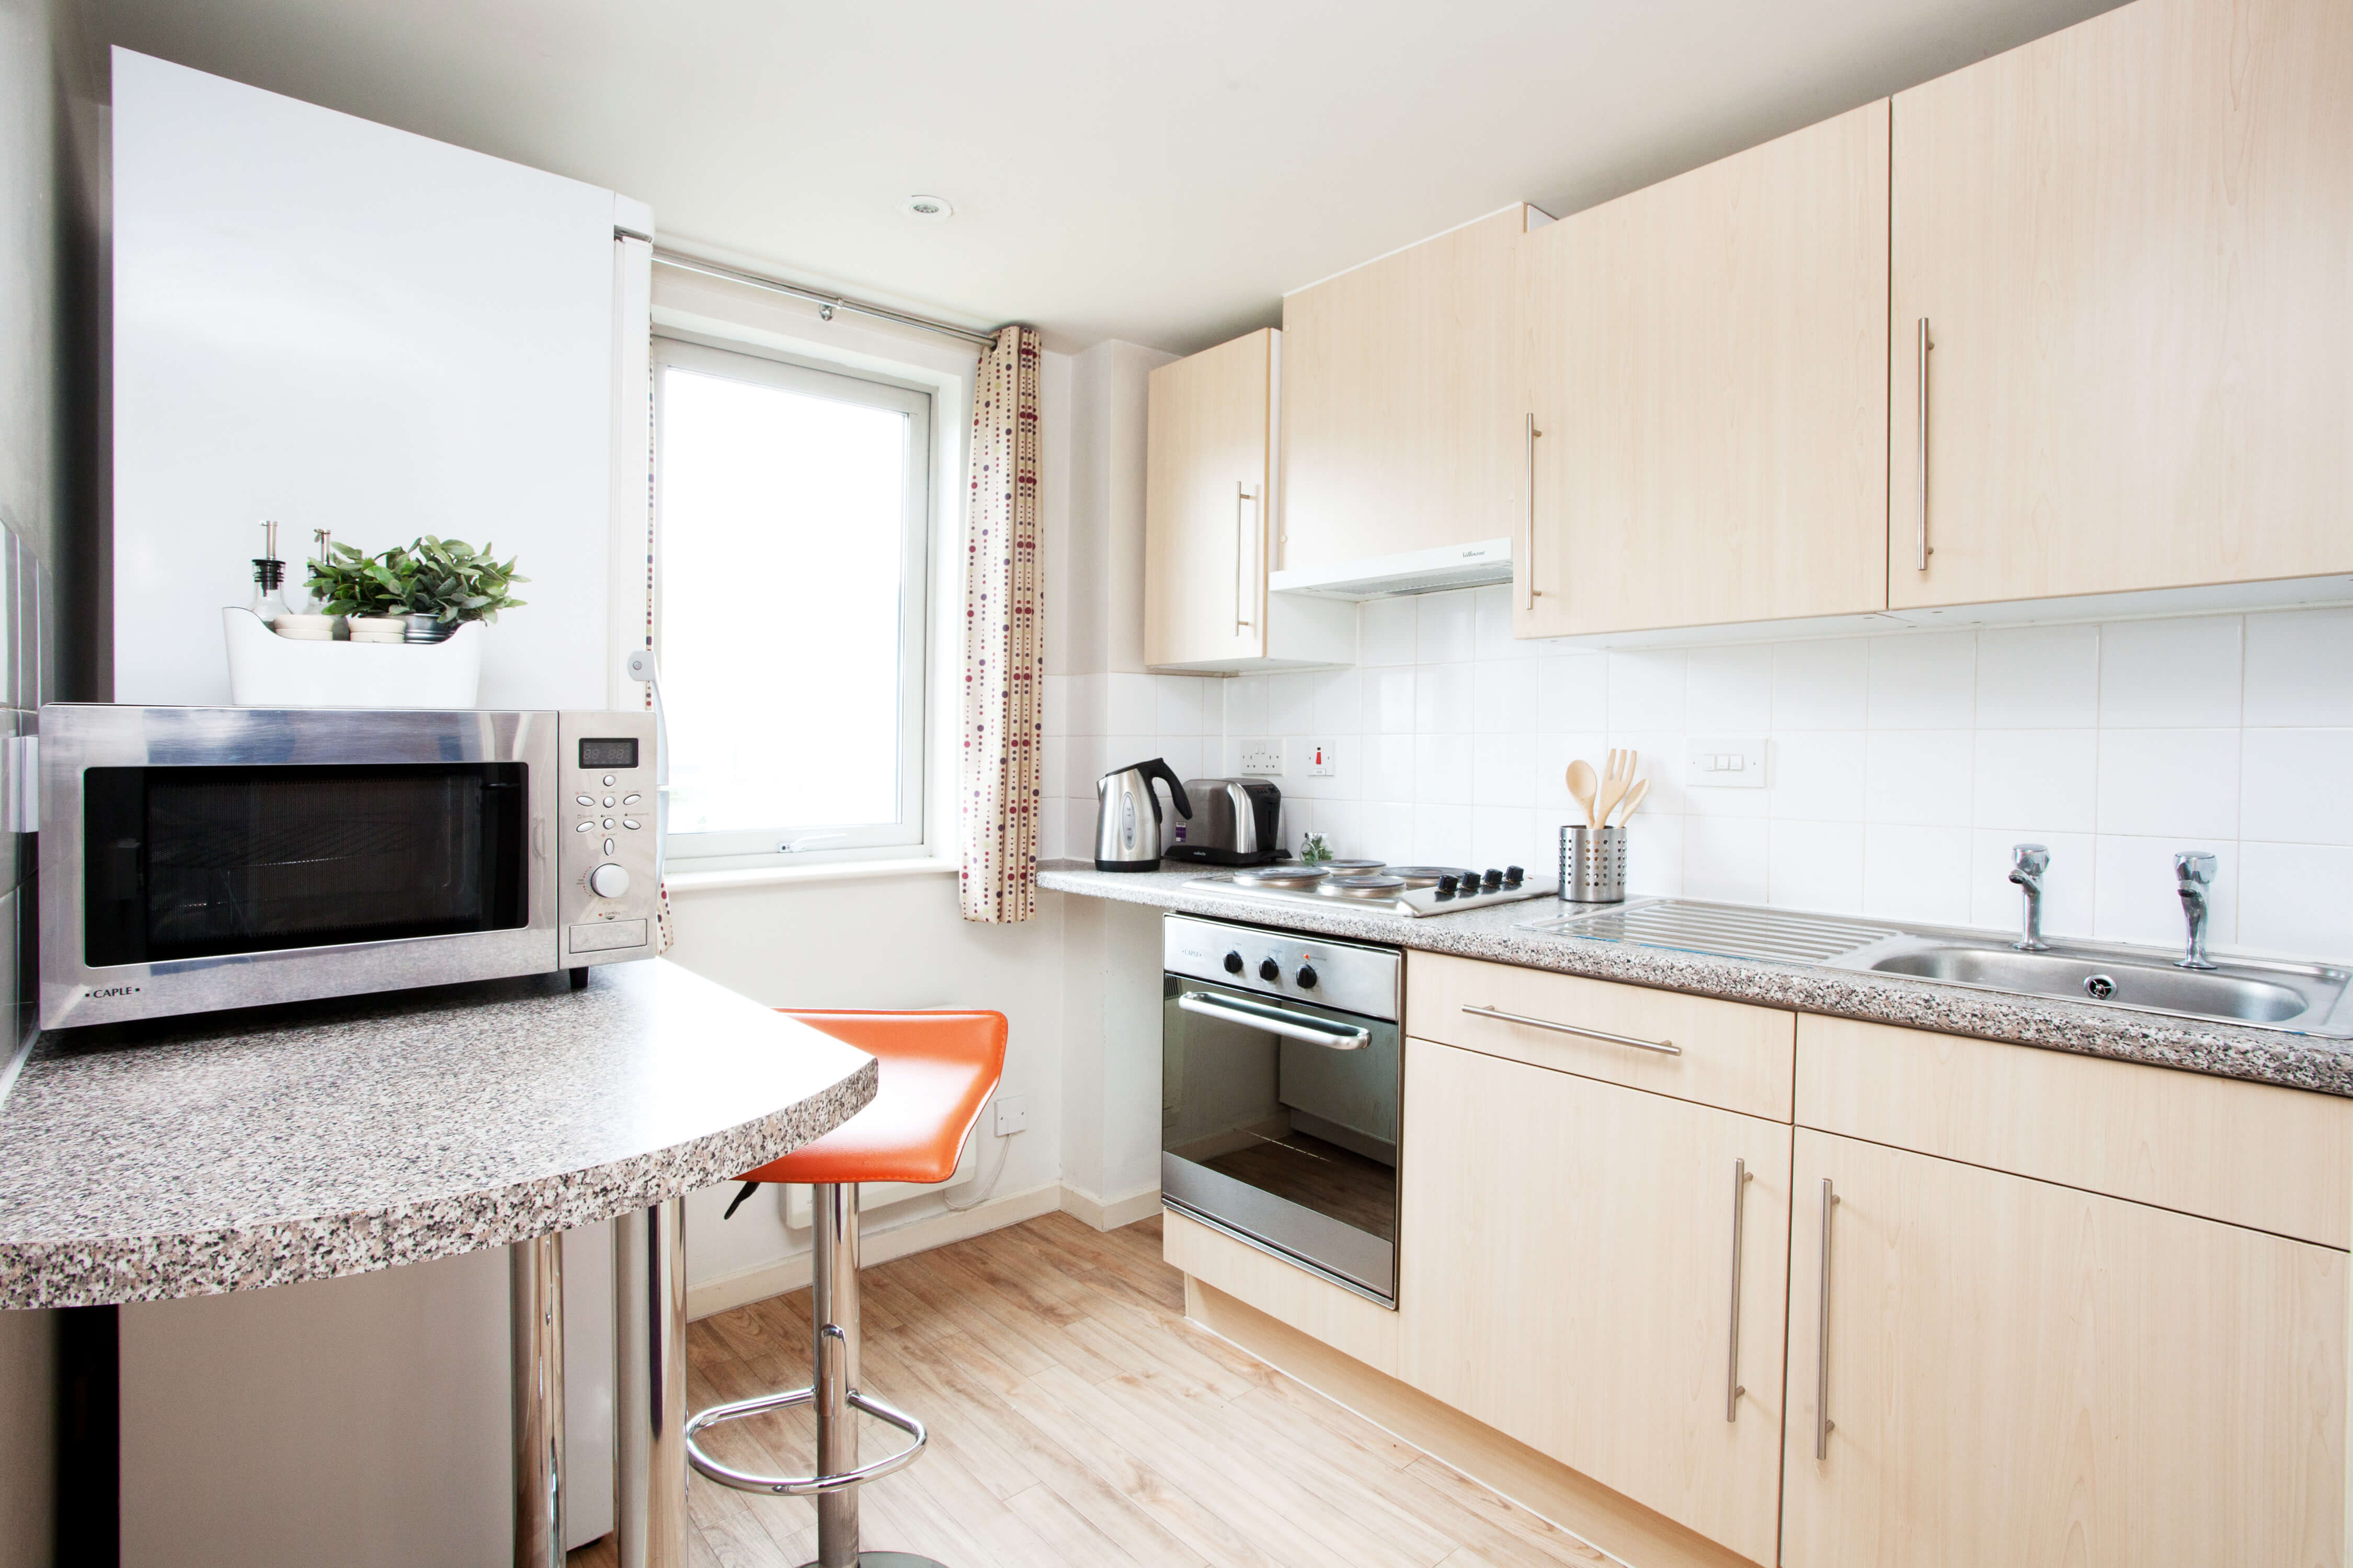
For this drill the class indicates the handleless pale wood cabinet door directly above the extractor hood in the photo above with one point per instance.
(1401, 401)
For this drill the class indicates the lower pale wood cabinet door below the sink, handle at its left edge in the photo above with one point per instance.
(2029, 1374)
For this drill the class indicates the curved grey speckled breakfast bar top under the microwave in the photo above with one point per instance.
(265, 1148)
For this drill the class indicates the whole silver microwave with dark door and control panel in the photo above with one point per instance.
(227, 858)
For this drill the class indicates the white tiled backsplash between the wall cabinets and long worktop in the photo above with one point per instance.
(1900, 769)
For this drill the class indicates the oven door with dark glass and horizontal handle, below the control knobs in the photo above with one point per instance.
(1281, 1129)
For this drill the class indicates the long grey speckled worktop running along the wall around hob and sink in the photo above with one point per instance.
(2265, 1056)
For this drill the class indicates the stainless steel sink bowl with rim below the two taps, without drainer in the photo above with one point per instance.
(2307, 999)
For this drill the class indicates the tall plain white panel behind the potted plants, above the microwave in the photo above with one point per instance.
(342, 326)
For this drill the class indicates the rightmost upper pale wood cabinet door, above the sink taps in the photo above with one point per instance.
(2133, 248)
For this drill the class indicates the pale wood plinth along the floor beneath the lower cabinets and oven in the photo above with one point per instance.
(1580, 1506)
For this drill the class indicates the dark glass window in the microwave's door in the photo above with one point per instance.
(196, 863)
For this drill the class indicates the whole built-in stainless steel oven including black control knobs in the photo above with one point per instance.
(1281, 1082)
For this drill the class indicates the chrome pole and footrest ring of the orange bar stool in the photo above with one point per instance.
(834, 1310)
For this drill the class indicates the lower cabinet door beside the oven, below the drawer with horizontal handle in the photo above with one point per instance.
(1568, 1261)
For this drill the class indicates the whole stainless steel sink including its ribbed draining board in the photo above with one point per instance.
(2298, 997)
